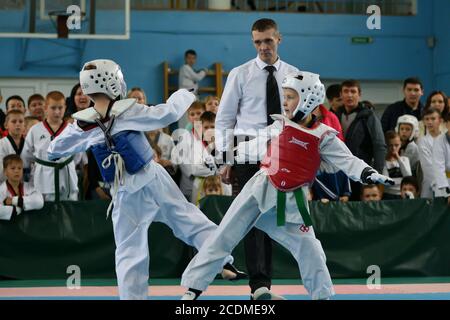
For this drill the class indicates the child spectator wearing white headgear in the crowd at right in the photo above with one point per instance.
(408, 129)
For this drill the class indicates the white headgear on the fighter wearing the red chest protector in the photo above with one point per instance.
(309, 88)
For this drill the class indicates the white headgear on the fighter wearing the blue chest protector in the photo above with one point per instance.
(103, 76)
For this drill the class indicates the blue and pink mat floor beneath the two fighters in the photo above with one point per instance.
(169, 289)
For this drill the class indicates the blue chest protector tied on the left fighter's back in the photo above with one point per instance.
(133, 147)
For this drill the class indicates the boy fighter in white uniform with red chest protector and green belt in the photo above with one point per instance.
(274, 199)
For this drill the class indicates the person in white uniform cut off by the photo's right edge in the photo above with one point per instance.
(441, 162)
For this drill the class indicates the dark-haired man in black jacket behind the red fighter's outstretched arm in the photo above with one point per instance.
(362, 130)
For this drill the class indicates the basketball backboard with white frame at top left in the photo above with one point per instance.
(73, 19)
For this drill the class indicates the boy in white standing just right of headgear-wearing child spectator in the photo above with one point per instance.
(432, 120)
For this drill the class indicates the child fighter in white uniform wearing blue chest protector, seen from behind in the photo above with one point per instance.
(142, 191)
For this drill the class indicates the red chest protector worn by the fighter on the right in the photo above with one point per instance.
(293, 158)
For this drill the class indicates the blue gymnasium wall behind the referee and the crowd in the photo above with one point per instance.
(321, 43)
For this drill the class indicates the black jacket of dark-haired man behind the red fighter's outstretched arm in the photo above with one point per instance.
(365, 137)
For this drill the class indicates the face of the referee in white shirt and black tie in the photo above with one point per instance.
(266, 44)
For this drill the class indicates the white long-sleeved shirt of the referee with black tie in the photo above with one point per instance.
(243, 103)
